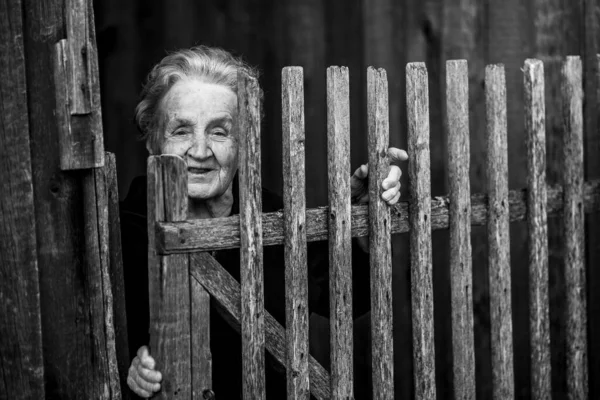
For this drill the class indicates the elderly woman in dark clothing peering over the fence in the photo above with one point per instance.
(188, 107)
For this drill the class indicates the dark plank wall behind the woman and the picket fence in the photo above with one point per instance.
(134, 35)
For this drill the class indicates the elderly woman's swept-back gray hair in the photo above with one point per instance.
(210, 64)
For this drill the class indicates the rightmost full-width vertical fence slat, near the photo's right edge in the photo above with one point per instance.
(572, 93)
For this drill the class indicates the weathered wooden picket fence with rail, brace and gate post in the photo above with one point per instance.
(179, 248)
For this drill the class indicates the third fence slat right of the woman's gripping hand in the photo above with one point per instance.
(498, 233)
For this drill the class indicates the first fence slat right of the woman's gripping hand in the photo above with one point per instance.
(417, 100)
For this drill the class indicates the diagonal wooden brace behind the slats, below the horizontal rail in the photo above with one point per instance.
(226, 291)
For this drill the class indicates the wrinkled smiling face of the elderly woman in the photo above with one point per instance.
(198, 123)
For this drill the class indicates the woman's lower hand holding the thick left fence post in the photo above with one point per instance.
(142, 379)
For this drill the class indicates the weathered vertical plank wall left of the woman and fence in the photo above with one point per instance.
(61, 265)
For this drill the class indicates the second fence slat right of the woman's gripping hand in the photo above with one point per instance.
(463, 347)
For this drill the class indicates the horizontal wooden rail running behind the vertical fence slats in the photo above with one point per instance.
(224, 233)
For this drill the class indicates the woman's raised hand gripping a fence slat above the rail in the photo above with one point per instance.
(390, 186)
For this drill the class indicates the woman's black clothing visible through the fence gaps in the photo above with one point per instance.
(225, 342)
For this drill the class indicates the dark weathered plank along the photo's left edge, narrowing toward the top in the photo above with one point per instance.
(21, 358)
